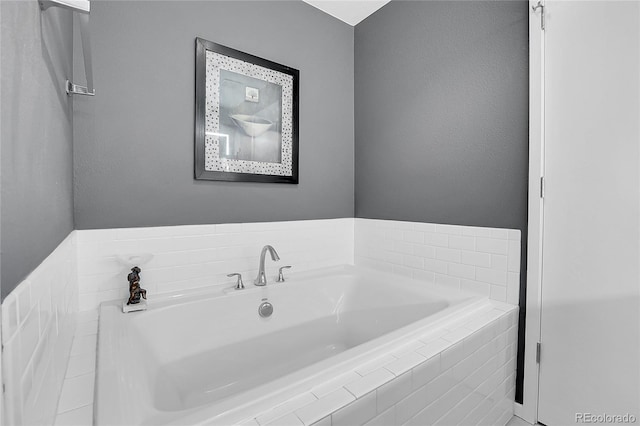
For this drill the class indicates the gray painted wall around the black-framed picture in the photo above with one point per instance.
(134, 141)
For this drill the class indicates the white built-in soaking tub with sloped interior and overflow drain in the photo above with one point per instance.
(210, 358)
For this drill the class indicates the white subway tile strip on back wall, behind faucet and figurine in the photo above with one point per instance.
(187, 257)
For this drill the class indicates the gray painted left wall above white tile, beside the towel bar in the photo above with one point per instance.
(37, 145)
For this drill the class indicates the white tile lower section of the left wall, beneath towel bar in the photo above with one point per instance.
(37, 330)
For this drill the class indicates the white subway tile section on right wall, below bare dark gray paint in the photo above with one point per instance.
(480, 260)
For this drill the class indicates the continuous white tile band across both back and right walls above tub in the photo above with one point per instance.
(481, 260)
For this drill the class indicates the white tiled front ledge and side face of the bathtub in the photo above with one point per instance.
(463, 374)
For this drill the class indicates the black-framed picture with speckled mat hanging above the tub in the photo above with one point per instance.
(246, 124)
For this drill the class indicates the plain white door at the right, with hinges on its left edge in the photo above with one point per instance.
(590, 318)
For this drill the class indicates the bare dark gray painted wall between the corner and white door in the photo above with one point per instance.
(442, 113)
